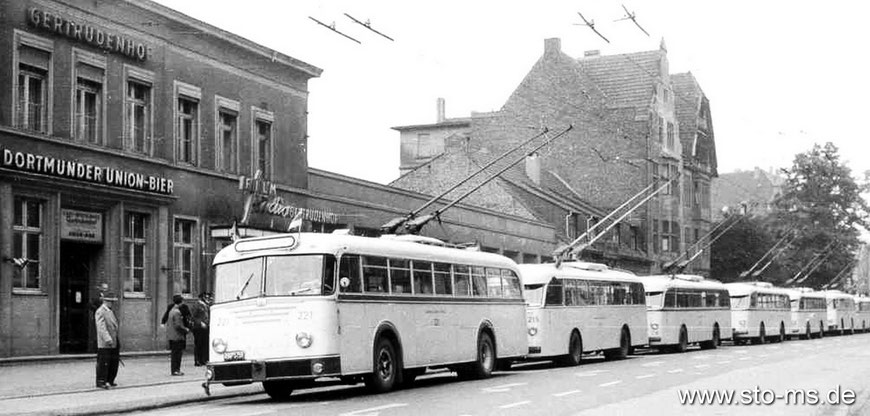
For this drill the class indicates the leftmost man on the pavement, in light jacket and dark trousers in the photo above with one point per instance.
(108, 345)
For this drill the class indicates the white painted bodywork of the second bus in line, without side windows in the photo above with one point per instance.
(599, 326)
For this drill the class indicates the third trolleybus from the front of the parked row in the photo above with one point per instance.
(686, 309)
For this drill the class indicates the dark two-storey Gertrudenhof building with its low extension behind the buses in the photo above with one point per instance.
(131, 137)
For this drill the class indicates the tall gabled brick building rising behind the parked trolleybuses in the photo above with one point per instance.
(624, 110)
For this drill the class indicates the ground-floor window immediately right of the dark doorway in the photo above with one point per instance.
(135, 252)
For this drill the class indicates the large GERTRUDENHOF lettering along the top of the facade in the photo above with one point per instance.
(83, 32)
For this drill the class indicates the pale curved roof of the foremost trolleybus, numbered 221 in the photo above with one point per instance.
(318, 243)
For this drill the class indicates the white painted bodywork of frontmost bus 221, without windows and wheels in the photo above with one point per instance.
(304, 336)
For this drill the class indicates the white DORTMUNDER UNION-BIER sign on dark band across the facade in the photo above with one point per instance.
(46, 165)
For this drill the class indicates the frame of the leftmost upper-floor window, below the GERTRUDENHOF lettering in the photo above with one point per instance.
(21, 38)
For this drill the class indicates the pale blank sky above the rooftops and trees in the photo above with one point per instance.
(780, 75)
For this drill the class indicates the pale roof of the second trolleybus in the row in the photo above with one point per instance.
(536, 274)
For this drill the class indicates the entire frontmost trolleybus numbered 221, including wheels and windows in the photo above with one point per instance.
(293, 308)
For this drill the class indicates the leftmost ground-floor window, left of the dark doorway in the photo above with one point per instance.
(26, 242)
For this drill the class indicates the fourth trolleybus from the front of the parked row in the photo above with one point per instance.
(759, 312)
